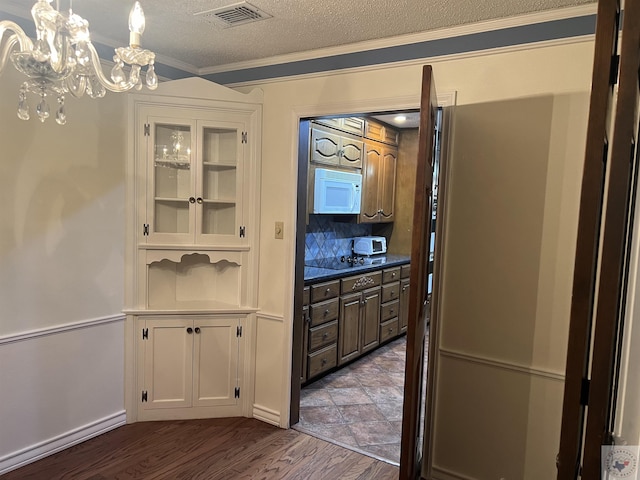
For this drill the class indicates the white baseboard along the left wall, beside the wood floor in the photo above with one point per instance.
(53, 445)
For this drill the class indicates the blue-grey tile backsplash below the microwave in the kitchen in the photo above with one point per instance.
(325, 238)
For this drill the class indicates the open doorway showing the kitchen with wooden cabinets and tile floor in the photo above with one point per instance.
(355, 401)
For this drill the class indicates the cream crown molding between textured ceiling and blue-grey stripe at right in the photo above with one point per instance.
(479, 27)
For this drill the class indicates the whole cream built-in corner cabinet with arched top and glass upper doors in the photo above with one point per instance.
(193, 293)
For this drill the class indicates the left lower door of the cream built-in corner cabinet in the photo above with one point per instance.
(168, 359)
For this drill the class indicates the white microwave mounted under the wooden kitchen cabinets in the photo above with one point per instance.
(336, 191)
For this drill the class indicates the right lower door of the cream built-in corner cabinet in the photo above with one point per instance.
(215, 354)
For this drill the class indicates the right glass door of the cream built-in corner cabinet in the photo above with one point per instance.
(218, 210)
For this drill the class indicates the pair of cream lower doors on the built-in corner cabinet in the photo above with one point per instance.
(189, 367)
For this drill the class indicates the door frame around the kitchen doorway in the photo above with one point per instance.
(297, 114)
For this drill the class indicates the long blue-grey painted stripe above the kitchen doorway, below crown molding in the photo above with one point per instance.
(505, 37)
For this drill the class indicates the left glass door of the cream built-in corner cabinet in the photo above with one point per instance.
(172, 180)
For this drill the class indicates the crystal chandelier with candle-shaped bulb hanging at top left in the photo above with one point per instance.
(62, 59)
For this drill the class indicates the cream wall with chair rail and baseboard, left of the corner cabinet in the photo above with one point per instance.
(61, 273)
